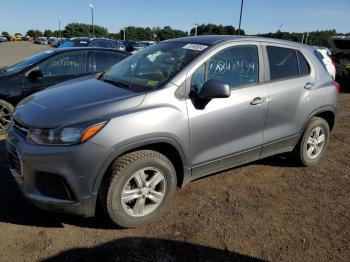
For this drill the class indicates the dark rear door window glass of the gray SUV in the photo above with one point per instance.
(283, 62)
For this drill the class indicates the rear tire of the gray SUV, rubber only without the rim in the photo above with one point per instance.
(300, 151)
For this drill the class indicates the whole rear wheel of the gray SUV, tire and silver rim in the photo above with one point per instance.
(313, 142)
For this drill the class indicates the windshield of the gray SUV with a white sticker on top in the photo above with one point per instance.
(155, 65)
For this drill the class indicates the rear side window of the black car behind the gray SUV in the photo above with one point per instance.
(102, 60)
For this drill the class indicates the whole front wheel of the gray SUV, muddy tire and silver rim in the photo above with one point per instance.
(138, 189)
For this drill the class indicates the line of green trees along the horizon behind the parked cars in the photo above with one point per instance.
(167, 32)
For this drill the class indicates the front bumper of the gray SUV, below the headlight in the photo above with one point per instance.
(57, 178)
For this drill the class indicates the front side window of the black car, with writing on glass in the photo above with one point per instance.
(65, 64)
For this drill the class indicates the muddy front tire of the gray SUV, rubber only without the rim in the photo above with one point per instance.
(119, 175)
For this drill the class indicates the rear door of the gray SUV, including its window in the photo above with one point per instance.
(289, 82)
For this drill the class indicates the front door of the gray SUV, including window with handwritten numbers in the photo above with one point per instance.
(228, 131)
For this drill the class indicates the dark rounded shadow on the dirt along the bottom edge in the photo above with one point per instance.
(149, 249)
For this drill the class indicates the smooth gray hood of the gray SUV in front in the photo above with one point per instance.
(75, 102)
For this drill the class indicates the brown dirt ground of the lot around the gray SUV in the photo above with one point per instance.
(269, 210)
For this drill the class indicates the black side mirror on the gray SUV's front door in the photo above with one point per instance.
(214, 89)
